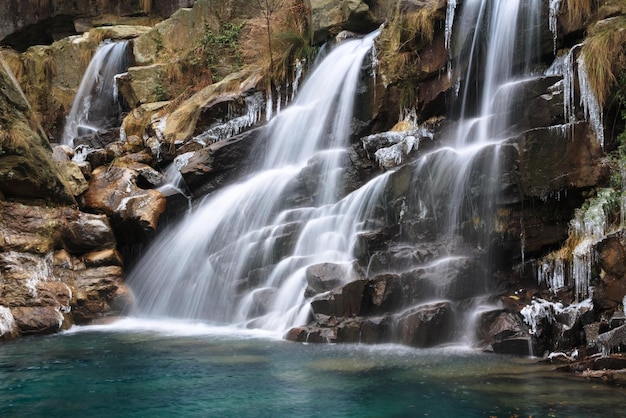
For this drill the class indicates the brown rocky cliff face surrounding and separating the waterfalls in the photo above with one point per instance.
(192, 72)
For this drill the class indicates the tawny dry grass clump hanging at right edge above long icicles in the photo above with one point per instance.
(605, 55)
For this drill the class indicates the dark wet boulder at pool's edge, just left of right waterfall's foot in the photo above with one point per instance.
(426, 325)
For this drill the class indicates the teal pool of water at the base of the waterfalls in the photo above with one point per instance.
(133, 369)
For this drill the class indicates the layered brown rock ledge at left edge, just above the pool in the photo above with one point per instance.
(58, 266)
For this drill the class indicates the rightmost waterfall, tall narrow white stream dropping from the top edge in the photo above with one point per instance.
(456, 186)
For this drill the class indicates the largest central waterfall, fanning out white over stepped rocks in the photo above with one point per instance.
(241, 256)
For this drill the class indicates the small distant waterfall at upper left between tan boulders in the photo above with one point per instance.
(96, 106)
